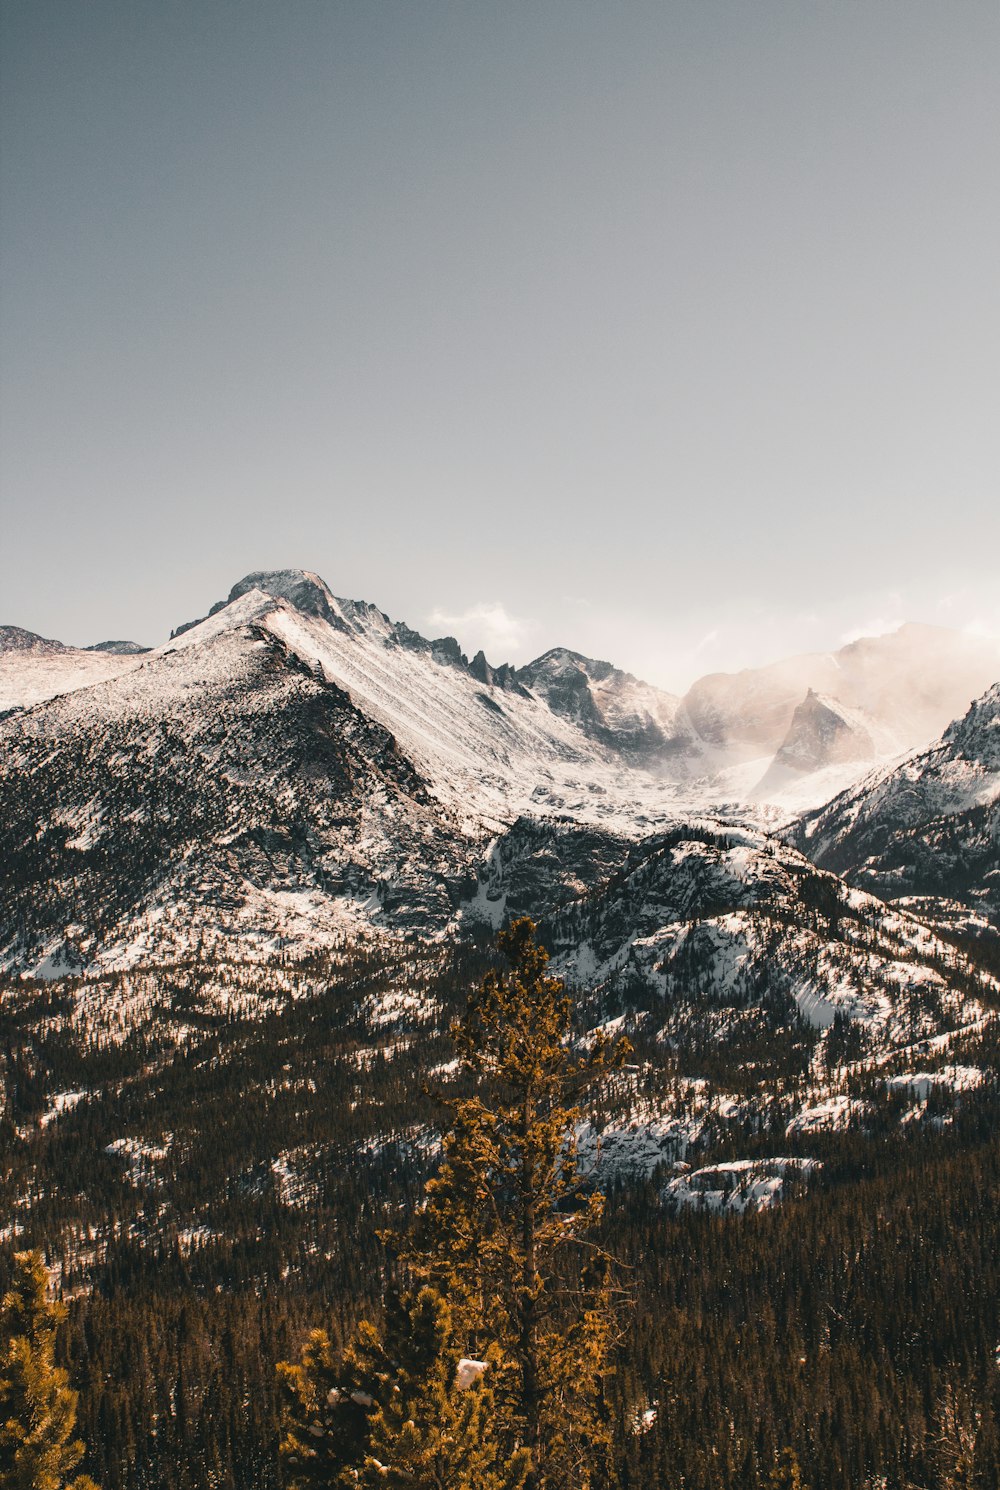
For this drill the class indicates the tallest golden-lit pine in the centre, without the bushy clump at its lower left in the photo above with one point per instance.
(504, 1230)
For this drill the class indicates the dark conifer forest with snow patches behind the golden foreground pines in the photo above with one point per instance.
(230, 1191)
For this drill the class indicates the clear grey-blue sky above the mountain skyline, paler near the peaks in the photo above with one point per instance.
(667, 332)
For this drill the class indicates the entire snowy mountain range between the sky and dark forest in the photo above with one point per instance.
(294, 768)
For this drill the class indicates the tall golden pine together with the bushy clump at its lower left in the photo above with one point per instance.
(503, 1239)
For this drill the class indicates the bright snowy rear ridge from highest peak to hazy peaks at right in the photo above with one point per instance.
(794, 732)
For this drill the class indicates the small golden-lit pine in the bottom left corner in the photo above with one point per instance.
(38, 1410)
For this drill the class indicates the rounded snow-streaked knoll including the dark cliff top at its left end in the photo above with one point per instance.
(727, 936)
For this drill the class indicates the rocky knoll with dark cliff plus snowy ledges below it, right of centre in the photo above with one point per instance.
(738, 972)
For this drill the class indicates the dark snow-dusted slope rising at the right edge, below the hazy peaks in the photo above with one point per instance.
(929, 828)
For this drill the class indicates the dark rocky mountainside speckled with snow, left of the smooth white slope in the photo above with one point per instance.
(220, 795)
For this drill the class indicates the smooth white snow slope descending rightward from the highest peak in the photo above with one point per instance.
(490, 752)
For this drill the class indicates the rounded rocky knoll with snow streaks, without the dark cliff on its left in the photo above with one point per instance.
(725, 917)
